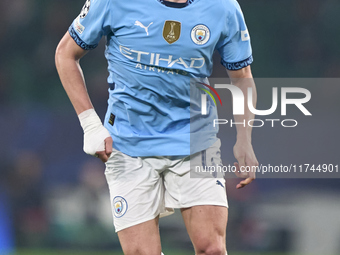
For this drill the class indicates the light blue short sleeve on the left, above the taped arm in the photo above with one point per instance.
(92, 24)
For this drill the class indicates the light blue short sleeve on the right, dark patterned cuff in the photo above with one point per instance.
(235, 48)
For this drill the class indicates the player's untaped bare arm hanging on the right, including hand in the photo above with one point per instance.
(243, 149)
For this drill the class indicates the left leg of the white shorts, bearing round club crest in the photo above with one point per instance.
(136, 190)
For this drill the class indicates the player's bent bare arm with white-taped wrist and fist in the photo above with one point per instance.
(97, 140)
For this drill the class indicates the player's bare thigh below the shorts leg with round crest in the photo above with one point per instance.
(141, 239)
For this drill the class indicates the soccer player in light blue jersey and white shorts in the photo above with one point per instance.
(159, 52)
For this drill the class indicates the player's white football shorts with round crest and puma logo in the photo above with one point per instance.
(142, 188)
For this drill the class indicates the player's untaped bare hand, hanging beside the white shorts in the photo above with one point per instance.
(244, 154)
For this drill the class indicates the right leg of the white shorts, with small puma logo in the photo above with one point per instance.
(185, 189)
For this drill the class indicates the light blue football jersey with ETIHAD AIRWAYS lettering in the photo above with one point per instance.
(158, 56)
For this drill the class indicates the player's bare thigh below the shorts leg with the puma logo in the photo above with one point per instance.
(206, 226)
